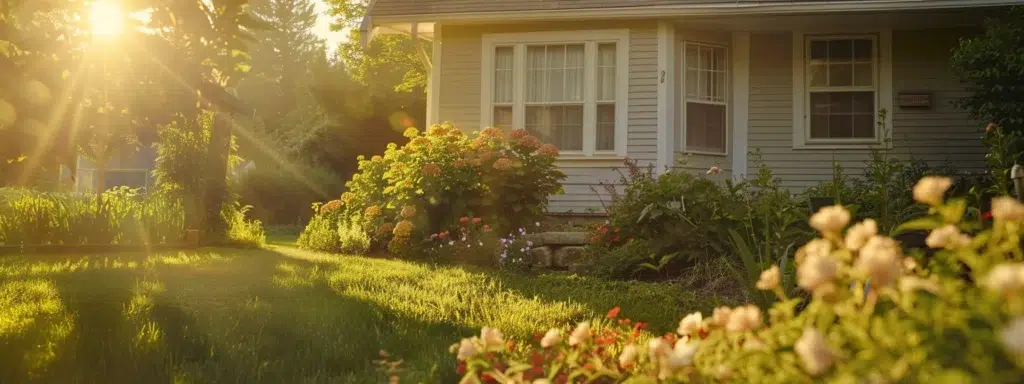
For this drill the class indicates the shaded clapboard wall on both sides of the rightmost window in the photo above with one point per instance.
(941, 136)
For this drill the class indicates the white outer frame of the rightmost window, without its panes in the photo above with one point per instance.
(801, 92)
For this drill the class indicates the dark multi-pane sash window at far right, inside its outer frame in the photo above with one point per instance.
(842, 88)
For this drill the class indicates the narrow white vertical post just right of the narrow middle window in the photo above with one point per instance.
(741, 102)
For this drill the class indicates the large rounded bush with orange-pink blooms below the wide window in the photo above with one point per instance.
(441, 176)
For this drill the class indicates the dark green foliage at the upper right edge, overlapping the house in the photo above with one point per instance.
(992, 65)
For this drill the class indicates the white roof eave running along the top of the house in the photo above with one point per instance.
(422, 25)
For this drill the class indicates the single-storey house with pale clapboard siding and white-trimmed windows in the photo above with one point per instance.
(802, 81)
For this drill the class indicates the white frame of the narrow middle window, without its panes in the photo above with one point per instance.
(685, 67)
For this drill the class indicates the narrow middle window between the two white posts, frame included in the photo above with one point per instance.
(706, 98)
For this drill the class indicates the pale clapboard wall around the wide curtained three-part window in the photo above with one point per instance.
(460, 102)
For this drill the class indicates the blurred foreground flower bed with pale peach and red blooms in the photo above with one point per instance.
(873, 315)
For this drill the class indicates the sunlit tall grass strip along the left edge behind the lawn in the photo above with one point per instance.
(126, 217)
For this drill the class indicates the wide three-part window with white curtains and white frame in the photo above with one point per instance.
(567, 89)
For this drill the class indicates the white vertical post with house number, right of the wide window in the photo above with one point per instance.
(666, 96)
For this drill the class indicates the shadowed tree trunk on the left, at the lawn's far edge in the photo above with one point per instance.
(217, 176)
